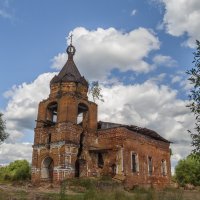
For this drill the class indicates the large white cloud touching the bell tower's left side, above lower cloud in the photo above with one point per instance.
(21, 110)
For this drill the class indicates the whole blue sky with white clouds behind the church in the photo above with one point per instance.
(139, 49)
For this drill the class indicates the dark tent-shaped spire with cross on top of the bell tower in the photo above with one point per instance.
(69, 72)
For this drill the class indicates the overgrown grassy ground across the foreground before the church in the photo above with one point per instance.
(90, 189)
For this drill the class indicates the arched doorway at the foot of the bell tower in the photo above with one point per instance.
(47, 169)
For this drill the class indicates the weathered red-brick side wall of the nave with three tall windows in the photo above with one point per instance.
(122, 143)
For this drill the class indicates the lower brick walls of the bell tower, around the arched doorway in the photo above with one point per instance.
(62, 149)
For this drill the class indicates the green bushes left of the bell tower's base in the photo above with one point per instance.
(15, 171)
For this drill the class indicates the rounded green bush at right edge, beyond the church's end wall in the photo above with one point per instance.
(188, 171)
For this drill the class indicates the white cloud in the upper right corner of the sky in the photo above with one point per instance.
(182, 17)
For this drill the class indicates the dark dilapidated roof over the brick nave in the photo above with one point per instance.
(143, 131)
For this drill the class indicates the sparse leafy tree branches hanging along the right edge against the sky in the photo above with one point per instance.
(194, 97)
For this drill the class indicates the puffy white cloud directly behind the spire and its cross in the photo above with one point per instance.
(99, 51)
